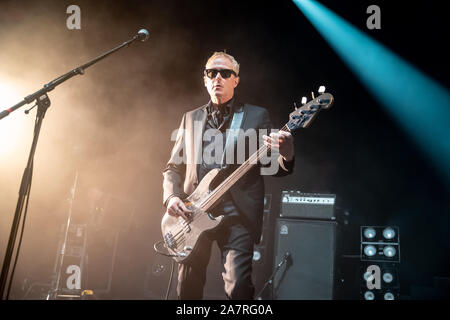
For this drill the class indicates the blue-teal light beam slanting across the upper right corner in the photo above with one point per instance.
(419, 104)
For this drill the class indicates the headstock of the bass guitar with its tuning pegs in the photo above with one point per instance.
(304, 115)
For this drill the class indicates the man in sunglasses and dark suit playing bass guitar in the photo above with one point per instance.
(242, 205)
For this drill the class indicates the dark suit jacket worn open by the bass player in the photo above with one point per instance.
(247, 193)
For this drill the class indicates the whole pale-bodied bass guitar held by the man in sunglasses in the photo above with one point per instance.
(182, 237)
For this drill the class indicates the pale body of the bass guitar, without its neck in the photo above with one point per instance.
(183, 238)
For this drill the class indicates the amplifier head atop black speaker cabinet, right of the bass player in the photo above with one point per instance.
(305, 246)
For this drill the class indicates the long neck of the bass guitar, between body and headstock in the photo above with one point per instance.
(226, 184)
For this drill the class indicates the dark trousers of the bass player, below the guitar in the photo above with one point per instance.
(236, 246)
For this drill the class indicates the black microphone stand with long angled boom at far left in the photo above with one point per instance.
(43, 103)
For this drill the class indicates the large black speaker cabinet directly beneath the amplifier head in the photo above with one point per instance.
(308, 273)
